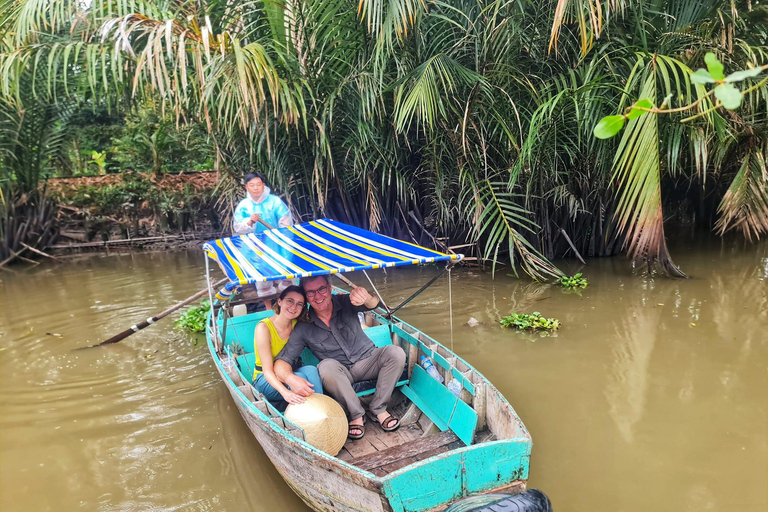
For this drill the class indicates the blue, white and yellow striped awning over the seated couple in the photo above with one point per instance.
(311, 249)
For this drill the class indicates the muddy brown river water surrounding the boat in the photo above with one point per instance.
(652, 396)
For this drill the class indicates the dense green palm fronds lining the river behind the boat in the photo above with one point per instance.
(469, 119)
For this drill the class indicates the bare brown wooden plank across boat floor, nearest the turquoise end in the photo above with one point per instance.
(404, 454)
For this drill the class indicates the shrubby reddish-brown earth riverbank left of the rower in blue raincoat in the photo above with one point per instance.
(138, 211)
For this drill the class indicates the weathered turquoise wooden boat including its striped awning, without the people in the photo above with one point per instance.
(447, 448)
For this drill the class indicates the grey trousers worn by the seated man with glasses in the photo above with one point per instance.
(385, 364)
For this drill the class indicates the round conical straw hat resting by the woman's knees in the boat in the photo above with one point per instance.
(323, 421)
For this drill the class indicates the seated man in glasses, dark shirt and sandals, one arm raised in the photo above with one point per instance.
(346, 354)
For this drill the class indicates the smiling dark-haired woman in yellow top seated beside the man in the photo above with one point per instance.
(270, 338)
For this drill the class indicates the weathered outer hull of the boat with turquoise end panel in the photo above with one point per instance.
(326, 483)
